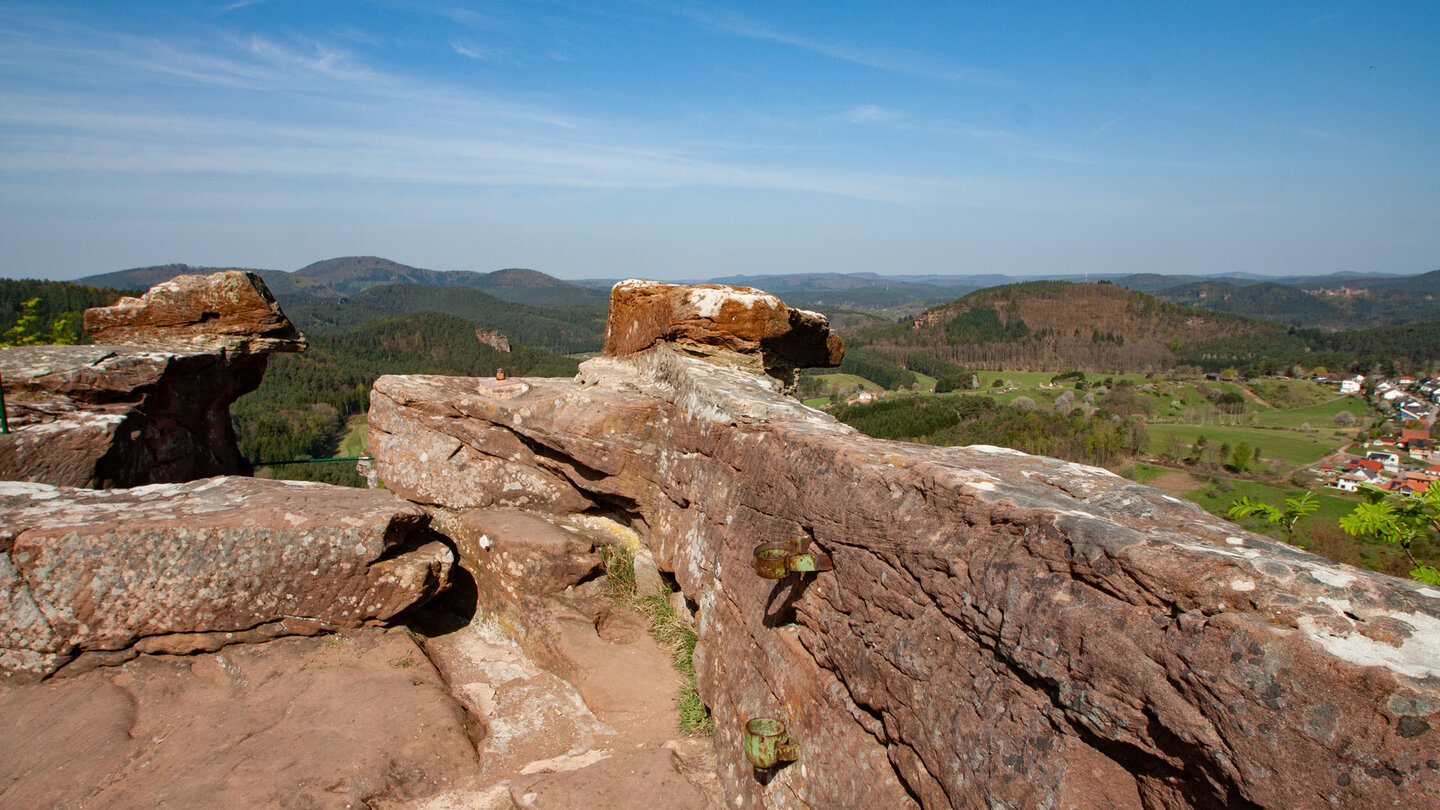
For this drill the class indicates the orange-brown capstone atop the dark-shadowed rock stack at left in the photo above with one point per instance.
(228, 313)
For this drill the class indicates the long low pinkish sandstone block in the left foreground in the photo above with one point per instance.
(185, 567)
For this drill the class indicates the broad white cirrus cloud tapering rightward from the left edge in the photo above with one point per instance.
(486, 142)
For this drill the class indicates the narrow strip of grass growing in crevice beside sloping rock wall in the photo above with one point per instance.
(673, 633)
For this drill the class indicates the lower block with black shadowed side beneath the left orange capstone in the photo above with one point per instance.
(119, 417)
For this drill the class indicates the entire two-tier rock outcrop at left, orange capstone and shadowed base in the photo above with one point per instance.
(152, 401)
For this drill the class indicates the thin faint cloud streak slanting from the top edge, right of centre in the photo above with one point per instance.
(895, 61)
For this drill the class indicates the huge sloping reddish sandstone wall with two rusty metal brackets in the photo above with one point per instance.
(999, 631)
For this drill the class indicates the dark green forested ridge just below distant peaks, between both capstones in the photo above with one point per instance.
(561, 331)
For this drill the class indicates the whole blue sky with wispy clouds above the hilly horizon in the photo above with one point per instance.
(685, 141)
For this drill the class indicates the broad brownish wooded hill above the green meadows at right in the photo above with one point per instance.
(1058, 326)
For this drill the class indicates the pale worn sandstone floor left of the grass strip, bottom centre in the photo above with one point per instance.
(604, 736)
